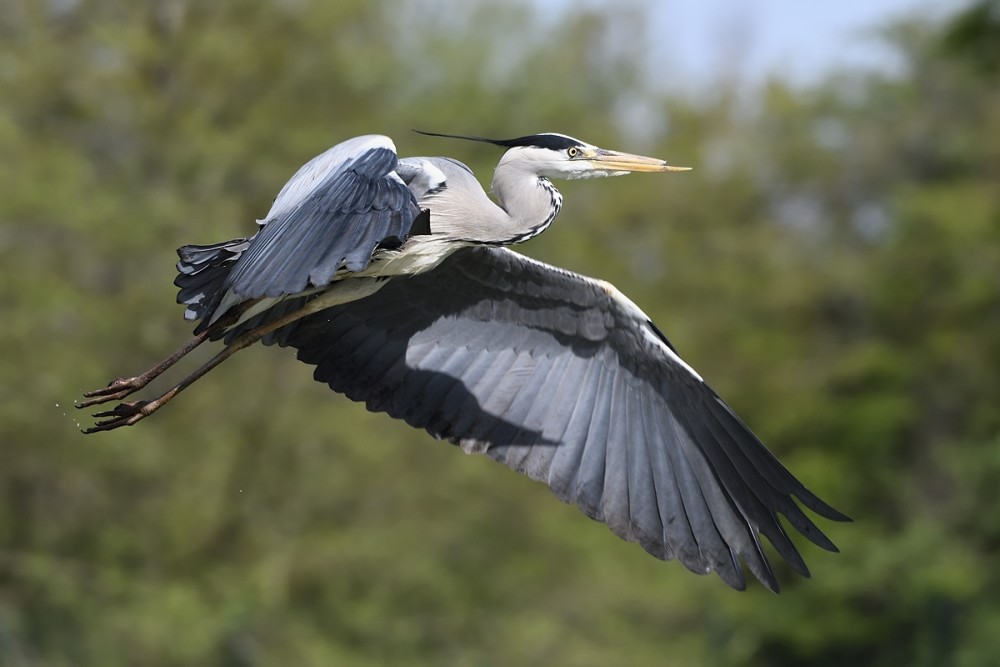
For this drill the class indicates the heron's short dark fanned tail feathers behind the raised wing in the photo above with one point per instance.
(201, 274)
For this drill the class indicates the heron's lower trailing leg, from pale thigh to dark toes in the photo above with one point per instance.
(127, 414)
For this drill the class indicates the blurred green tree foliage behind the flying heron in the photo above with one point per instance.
(831, 266)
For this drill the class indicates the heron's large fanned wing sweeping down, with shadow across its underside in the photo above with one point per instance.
(564, 379)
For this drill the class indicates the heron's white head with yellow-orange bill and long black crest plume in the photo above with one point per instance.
(555, 155)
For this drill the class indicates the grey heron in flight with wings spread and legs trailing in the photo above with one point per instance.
(395, 278)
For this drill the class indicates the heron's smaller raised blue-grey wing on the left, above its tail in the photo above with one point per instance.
(330, 216)
